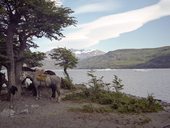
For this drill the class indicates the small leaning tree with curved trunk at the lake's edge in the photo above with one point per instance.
(64, 58)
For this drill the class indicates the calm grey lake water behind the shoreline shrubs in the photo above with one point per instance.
(139, 82)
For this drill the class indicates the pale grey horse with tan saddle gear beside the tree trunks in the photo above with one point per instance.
(41, 79)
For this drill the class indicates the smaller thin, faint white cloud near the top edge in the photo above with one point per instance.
(96, 7)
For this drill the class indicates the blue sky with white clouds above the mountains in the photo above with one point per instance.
(109, 25)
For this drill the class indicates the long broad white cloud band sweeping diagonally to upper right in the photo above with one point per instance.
(113, 25)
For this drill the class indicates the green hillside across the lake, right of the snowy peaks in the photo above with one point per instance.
(130, 58)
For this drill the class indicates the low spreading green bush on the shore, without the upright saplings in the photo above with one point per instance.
(117, 101)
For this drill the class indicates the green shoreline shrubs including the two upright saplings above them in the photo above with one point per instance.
(111, 98)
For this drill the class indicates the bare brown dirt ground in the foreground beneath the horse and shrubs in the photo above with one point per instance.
(44, 113)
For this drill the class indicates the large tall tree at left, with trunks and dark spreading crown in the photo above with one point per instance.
(21, 20)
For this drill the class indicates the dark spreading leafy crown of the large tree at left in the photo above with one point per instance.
(35, 18)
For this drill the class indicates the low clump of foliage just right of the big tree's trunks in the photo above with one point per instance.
(32, 59)
